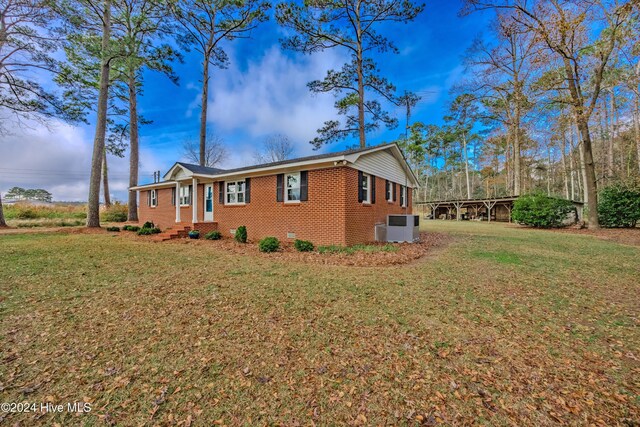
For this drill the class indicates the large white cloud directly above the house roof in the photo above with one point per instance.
(271, 96)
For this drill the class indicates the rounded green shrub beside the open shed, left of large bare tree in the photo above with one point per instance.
(540, 210)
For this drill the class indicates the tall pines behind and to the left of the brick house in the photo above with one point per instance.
(109, 45)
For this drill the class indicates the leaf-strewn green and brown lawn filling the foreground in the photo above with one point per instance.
(504, 326)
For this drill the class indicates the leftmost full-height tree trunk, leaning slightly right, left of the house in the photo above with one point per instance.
(93, 208)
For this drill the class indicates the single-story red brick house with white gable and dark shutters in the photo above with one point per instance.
(334, 198)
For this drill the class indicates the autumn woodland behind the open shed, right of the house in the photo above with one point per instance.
(550, 103)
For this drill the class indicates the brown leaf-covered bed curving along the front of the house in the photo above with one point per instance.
(370, 255)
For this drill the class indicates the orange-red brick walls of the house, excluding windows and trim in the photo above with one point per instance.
(332, 214)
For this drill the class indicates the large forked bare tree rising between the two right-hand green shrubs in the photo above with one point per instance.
(569, 31)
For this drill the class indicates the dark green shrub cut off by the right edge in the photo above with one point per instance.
(619, 206)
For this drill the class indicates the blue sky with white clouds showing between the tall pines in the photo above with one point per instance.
(262, 92)
